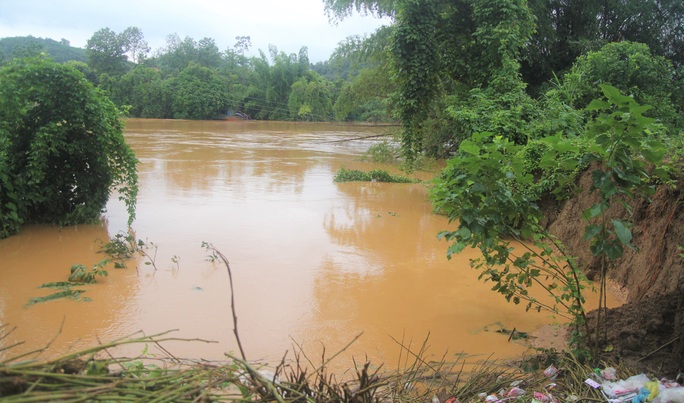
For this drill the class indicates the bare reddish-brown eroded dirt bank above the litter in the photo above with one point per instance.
(641, 332)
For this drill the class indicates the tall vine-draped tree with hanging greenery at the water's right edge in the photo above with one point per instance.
(468, 50)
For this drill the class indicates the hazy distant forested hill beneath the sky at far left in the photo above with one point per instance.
(27, 45)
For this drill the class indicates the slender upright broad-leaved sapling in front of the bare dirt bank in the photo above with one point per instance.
(626, 160)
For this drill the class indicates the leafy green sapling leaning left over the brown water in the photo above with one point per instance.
(478, 189)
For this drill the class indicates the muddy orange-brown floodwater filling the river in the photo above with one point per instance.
(315, 263)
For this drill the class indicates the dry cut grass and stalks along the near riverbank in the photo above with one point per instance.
(96, 374)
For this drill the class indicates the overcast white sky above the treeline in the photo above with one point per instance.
(287, 24)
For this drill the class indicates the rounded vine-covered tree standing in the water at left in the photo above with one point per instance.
(62, 148)
